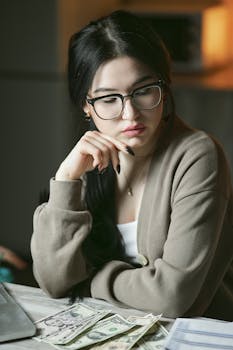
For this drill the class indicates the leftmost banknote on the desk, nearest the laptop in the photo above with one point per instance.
(67, 324)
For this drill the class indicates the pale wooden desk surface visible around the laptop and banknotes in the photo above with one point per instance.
(38, 305)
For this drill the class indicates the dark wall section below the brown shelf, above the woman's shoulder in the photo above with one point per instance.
(209, 109)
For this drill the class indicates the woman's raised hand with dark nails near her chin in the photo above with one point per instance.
(94, 149)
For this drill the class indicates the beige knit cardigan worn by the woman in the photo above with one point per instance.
(185, 234)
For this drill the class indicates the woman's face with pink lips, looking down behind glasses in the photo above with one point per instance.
(135, 127)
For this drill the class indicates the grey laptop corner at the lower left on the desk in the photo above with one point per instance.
(14, 322)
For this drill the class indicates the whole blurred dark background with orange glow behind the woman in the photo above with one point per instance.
(38, 124)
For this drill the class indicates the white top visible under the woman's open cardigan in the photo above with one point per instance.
(129, 236)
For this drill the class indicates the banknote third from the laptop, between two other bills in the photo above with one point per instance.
(129, 339)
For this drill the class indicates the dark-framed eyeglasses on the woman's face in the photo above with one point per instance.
(111, 106)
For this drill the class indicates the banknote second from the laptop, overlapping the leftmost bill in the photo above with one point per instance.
(101, 331)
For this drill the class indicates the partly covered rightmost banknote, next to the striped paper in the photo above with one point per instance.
(154, 339)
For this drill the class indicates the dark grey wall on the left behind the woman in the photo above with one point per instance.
(34, 113)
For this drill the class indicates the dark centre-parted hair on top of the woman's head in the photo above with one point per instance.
(119, 34)
